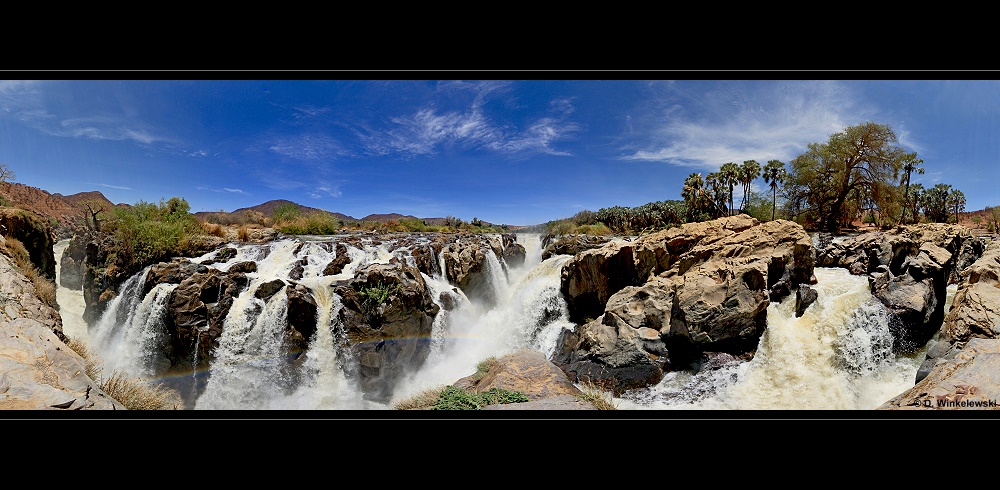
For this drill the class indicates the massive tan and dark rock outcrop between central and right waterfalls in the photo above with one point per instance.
(659, 302)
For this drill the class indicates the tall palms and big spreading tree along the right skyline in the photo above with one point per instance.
(859, 174)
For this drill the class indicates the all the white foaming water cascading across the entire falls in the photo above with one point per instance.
(837, 356)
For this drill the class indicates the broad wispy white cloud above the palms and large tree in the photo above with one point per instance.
(741, 122)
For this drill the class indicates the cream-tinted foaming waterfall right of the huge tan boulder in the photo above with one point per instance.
(836, 356)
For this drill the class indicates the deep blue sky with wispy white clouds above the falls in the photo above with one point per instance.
(519, 152)
